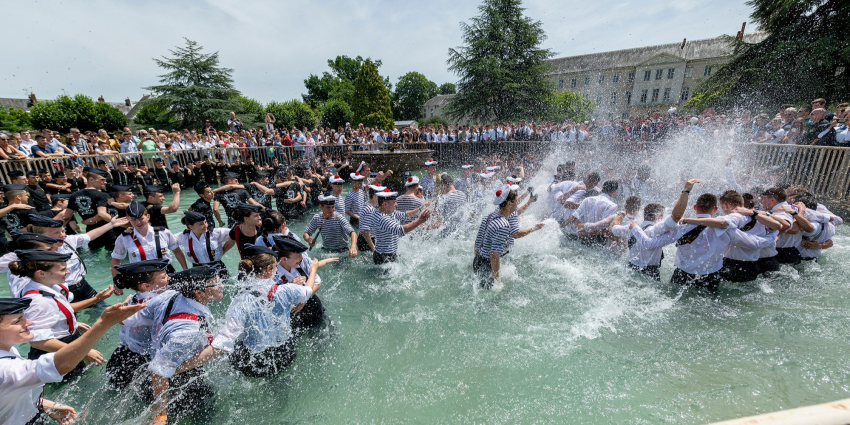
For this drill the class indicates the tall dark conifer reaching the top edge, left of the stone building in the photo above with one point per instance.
(501, 65)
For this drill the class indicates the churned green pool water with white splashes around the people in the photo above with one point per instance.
(573, 338)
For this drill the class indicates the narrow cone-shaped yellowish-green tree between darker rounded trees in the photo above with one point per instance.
(371, 104)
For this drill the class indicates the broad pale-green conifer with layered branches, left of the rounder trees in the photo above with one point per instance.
(195, 87)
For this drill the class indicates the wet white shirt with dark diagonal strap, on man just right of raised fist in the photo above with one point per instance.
(705, 254)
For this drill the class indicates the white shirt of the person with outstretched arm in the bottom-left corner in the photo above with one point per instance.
(21, 384)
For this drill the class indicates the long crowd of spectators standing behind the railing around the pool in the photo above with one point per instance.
(807, 125)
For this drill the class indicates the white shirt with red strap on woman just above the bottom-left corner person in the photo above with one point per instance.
(48, 321)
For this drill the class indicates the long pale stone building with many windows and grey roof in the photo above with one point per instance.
(634, 82)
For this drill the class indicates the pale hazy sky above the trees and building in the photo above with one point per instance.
(105, 47)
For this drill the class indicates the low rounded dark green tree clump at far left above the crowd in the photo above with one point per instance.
(80, 112)
